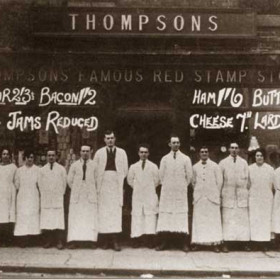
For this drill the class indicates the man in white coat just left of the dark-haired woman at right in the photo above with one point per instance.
(235, 203)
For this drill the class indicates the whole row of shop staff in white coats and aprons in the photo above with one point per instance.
(232, 202)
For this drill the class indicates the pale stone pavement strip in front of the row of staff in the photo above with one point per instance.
(145, 263)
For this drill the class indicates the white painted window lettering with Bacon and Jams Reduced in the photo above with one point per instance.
(47, 97)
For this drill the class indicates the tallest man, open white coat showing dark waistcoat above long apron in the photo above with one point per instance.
(111, 169)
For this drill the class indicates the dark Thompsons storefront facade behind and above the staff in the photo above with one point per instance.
(209, 74)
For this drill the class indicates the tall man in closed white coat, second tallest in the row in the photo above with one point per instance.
(175, 175)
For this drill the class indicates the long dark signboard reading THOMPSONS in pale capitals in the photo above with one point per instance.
(144, 22)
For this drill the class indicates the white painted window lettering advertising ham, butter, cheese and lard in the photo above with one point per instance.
(232, 98)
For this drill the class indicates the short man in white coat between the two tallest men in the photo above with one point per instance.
(143, 177)
